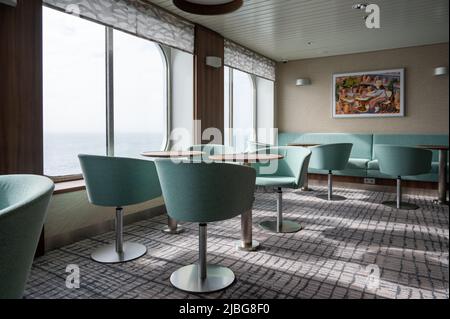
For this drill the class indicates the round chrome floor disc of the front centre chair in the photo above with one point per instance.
(187, 279)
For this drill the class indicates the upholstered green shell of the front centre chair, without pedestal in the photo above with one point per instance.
(202, 193)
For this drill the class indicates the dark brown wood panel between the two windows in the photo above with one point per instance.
(208, 81)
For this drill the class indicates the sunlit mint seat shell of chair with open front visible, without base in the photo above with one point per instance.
(294, 163)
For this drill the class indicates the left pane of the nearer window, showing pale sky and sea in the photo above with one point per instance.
(74, 91)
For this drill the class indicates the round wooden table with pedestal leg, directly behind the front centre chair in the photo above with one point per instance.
(246, 243)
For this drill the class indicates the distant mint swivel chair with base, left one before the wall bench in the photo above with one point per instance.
(331, 157)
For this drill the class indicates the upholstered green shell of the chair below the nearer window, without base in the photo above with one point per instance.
(118, 181)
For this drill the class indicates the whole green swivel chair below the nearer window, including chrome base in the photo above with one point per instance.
(117, 182)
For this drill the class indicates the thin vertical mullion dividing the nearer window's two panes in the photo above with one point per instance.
(110, 91)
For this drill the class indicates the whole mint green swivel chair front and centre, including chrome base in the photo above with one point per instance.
(203, 193)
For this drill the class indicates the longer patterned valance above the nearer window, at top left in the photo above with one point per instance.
(134, 16)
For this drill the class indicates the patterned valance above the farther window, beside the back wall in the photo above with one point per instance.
(241, 58)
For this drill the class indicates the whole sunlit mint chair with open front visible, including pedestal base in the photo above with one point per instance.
(288, 172)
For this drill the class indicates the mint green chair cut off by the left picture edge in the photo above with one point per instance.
(24, 201)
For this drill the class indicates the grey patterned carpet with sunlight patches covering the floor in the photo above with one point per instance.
(348, 249)
